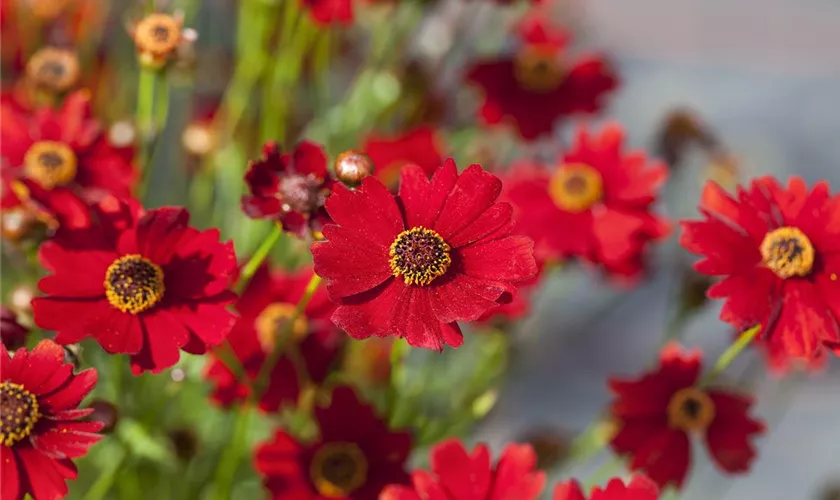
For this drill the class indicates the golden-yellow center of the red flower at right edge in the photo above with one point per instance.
(787, 252)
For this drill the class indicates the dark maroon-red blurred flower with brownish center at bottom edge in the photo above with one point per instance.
(354, 458)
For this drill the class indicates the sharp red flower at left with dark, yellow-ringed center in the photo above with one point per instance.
(141, 284)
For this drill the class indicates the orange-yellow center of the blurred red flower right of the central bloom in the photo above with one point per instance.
(575, 187)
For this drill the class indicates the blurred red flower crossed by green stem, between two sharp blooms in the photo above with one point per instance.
(265, 307)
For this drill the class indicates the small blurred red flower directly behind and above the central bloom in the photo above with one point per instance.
(420, 146)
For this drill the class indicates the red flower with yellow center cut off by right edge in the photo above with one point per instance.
(779, 252)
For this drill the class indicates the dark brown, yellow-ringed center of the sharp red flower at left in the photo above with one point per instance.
(134, 284)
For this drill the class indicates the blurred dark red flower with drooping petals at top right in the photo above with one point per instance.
(541, 82)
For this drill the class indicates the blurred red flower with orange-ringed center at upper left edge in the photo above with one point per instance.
(64, 147)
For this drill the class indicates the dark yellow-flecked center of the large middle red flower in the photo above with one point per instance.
(419, 255)
